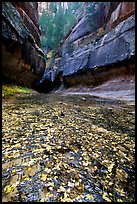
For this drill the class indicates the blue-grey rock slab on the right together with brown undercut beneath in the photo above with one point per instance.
(113, 48)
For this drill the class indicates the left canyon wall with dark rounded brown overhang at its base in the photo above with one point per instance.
(22, 58)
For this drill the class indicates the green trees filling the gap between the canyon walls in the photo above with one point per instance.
(55, 23)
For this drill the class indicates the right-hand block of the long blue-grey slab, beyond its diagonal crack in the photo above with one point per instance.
(125, 51)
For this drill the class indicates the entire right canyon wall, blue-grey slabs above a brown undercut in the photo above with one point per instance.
(89, 58)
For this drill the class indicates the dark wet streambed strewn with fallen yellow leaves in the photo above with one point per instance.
(59, 148)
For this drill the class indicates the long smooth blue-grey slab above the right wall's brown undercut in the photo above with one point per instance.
(104, 52)
